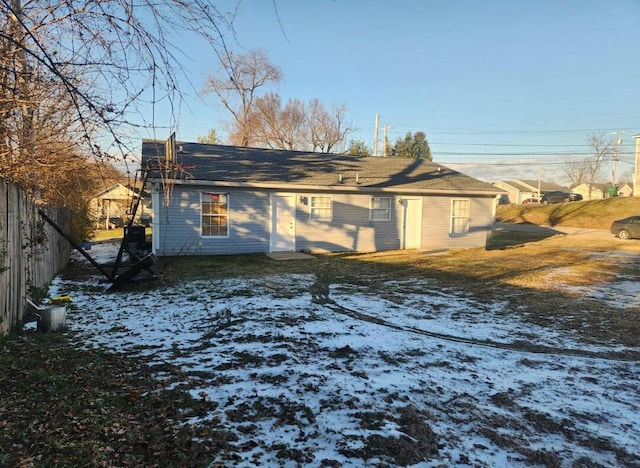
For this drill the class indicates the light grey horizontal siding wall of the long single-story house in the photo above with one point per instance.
(176, 228)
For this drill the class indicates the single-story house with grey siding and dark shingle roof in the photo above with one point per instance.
(213, 199)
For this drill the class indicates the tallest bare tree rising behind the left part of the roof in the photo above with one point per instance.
(238, 79)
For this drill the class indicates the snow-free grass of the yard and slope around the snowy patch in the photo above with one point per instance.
(64, 405)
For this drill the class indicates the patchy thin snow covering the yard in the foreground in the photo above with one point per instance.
(352, 377)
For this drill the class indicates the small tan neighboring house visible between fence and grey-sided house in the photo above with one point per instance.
(111, 207)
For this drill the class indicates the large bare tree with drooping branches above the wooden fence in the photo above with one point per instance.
(78, 76)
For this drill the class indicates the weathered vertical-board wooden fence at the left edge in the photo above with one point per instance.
(31, 251)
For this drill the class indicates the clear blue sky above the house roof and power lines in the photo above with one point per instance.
(501, 88)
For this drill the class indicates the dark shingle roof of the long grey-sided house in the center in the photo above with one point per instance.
(258, 166)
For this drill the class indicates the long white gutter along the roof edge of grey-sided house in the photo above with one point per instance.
(326, 188)
